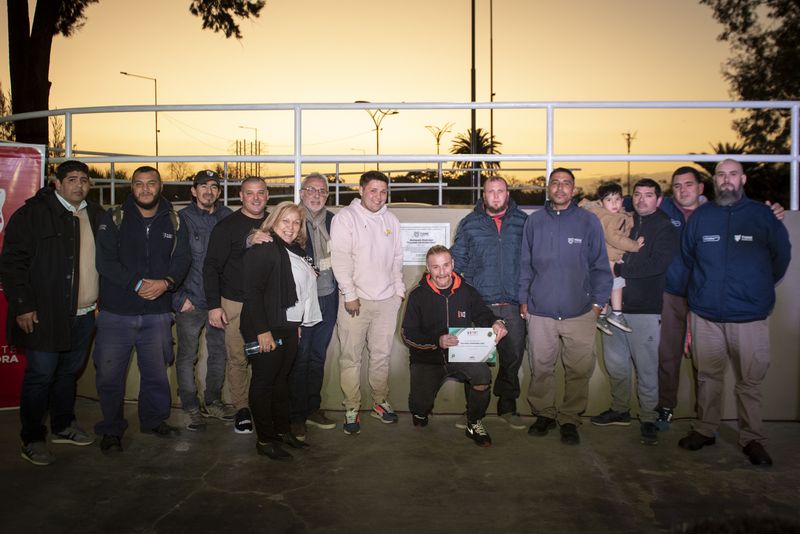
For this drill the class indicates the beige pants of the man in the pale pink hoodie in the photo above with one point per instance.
(374, 328)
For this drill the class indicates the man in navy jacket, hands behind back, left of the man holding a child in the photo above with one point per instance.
(564, 282)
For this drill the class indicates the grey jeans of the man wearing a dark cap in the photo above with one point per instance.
(189, 325)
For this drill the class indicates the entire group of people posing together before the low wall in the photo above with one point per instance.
(269, 287)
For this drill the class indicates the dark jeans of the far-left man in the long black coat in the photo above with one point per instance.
(50, 381)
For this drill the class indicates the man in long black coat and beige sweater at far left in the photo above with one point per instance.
(50, 279)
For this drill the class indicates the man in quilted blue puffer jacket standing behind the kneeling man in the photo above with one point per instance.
(486, 252)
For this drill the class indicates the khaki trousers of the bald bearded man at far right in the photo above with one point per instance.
(746, 345)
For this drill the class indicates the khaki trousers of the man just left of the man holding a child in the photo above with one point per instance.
(574, 339)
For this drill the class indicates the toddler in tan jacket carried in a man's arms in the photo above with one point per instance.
(617, 225)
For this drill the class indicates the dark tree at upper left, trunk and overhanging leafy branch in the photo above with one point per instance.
(29, 47)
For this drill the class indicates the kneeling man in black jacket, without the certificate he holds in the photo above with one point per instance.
(440, 301)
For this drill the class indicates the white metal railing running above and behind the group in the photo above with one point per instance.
(297, 158)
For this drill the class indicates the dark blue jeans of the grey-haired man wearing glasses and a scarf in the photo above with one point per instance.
(305, 380)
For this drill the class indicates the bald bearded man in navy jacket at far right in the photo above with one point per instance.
(736, 251)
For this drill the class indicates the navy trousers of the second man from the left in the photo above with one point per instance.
(151, 335)
